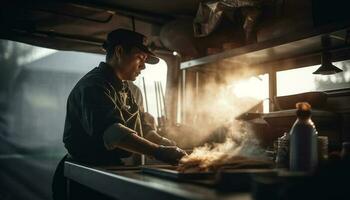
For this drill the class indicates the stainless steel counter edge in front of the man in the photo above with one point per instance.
(133, 184)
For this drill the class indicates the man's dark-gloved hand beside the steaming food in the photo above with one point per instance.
(169, 154)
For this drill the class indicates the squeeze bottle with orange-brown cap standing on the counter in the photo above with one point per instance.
(303, 141)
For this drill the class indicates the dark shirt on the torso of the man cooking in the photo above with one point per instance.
(97, 101)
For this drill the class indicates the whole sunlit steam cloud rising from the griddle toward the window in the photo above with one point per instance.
(212, 125)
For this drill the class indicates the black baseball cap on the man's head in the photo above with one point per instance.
(131, 38)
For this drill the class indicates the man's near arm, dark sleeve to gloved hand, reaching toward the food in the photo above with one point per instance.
(101, 118)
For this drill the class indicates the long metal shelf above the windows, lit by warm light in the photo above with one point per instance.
(290, 46)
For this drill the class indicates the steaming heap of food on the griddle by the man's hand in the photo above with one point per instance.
(239, 151)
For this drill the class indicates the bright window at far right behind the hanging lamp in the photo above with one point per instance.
(302, 80)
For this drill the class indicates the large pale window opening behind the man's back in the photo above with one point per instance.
(35, 84)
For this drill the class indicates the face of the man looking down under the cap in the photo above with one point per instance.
(132, 63)
